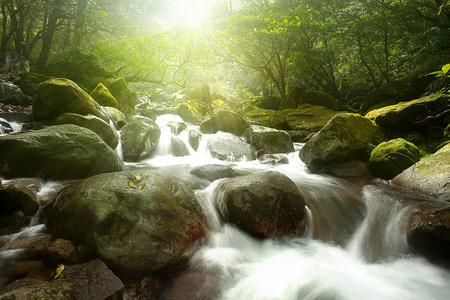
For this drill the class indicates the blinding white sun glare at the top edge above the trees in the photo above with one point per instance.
(189, 12)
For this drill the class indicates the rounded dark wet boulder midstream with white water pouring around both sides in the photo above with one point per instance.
(266, 204)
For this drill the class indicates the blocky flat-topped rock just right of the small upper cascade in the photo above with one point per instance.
(269, 140)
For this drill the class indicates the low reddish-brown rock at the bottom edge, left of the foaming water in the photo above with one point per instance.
(198, 286)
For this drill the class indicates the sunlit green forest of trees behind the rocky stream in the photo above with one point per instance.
(241, 48)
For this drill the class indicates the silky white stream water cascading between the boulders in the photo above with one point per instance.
(354, 245)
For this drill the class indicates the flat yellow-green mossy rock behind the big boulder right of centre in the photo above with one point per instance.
(310, 118)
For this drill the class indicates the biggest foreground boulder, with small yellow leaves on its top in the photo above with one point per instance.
(139, 222)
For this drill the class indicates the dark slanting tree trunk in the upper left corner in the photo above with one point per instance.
(47, 37)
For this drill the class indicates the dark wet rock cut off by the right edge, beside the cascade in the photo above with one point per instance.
(429, 232)
